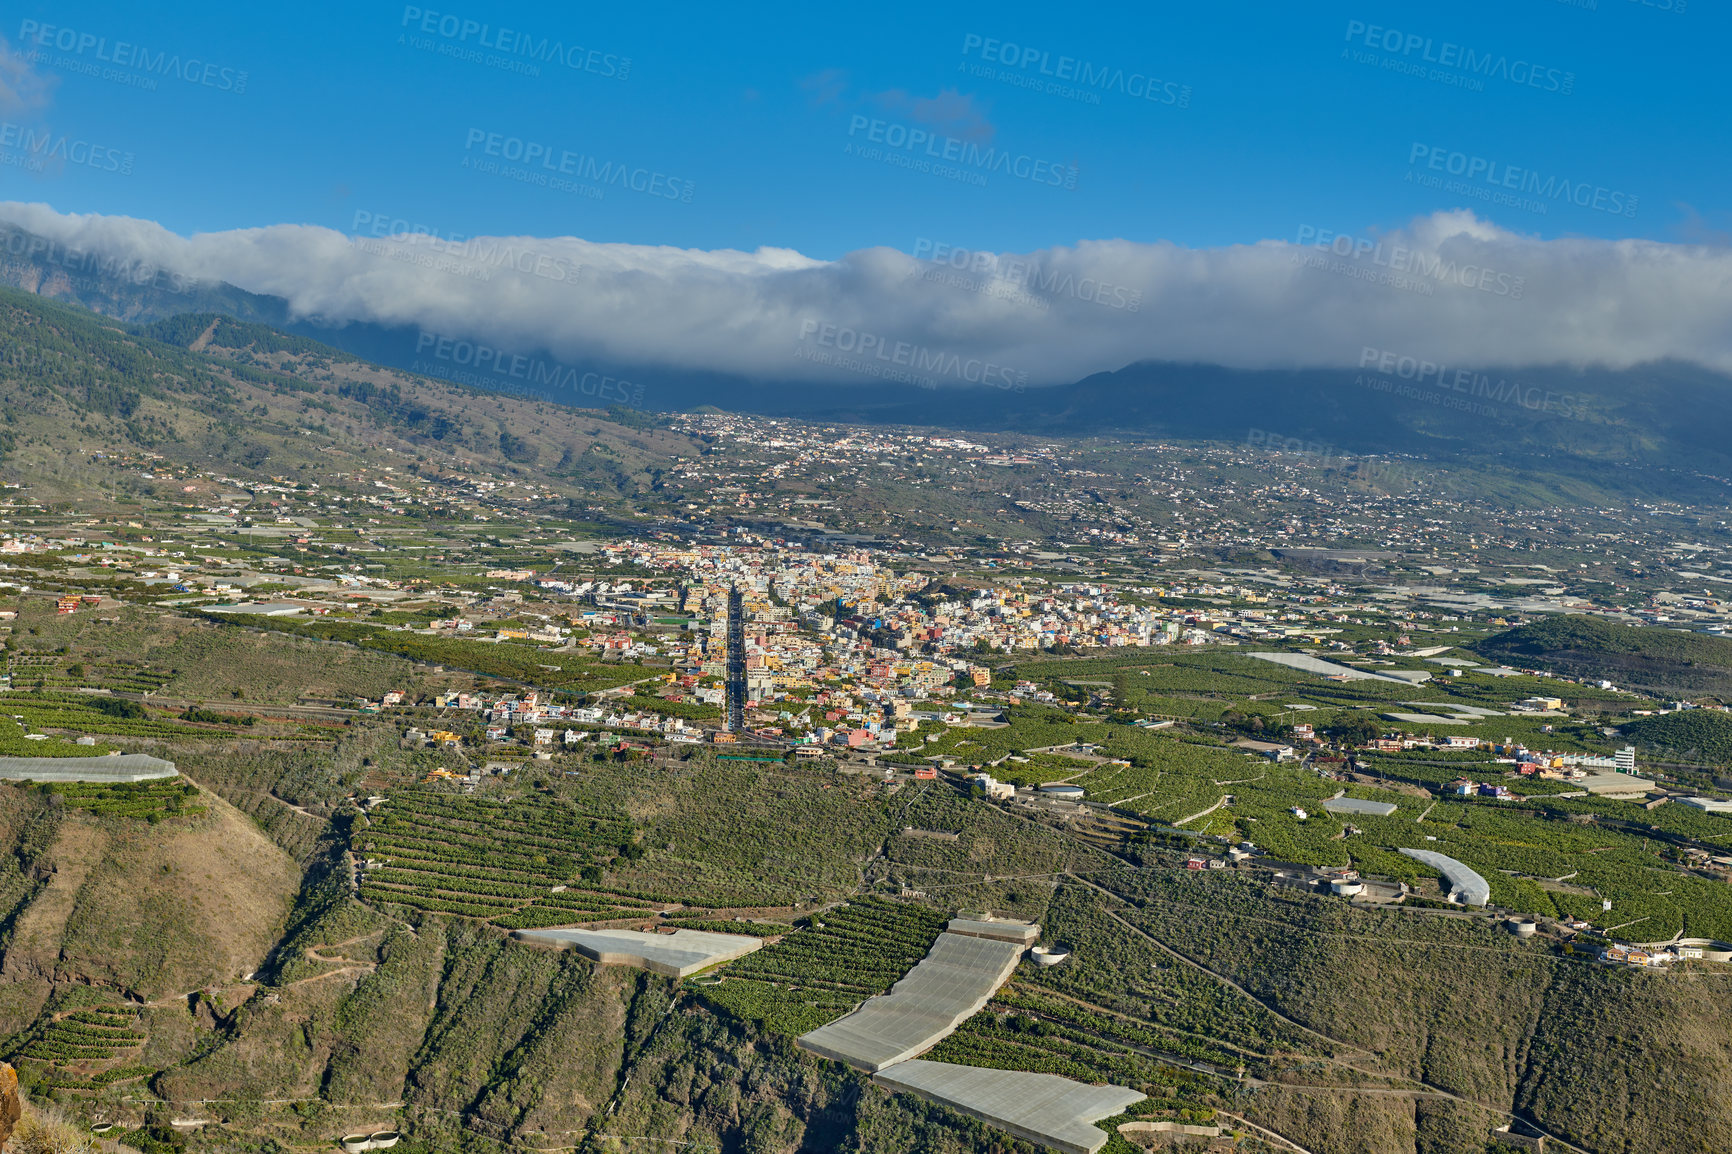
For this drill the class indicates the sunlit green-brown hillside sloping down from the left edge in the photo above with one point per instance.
(207, 392)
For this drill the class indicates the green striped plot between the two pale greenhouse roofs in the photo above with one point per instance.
(820, 973)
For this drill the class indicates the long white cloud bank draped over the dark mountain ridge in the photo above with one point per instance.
(1473, 294)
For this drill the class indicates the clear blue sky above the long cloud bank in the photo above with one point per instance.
(1269, 119)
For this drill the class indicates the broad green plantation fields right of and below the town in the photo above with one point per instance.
(1544, 855)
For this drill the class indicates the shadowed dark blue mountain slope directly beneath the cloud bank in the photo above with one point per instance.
(1579, 424)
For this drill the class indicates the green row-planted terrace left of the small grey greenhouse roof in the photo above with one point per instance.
(496, 860)
